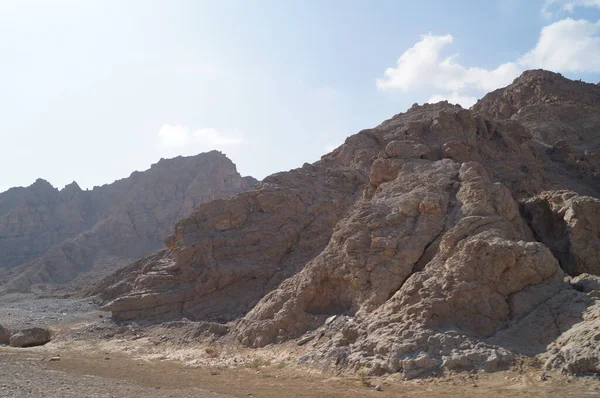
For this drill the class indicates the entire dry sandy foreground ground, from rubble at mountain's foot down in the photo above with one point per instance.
(100, 358)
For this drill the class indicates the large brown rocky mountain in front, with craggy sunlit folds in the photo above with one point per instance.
(442, 239)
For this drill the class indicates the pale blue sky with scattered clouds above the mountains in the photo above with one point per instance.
(93, 90)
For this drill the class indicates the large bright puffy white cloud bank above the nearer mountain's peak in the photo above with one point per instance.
(564, 46)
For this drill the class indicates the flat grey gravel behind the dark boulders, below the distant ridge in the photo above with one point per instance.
(18, 311)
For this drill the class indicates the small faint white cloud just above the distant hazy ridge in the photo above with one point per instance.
(178, 135)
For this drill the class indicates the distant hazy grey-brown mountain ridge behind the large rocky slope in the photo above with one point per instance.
(51, 236)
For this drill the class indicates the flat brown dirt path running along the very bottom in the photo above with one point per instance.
(29, 373)
